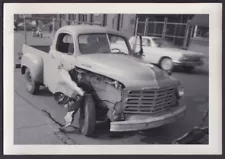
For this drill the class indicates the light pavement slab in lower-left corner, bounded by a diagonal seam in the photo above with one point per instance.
(31, 126)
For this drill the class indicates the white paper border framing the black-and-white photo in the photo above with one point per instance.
(215, 75)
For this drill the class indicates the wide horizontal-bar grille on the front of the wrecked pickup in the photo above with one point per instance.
(150, 101)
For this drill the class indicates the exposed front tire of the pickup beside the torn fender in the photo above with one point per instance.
(87, 119)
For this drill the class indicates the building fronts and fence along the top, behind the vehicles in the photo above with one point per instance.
(177, 27)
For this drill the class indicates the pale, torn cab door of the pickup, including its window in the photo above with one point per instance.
(60, 60)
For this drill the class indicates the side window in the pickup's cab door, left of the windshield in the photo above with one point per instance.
(65, 44)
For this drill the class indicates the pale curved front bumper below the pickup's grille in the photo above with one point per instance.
(142, 122)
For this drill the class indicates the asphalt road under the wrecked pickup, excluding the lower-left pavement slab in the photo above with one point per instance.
(196, 97)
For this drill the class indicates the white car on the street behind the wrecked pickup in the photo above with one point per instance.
(163, 53)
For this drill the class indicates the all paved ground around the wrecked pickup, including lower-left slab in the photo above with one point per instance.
(196, 99)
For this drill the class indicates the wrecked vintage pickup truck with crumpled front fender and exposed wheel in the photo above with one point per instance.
(84, 62)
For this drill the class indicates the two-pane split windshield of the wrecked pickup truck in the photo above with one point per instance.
(102, 43)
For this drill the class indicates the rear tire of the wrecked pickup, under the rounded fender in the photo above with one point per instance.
(32, 87)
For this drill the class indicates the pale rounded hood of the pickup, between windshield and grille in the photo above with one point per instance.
(129, 70)
